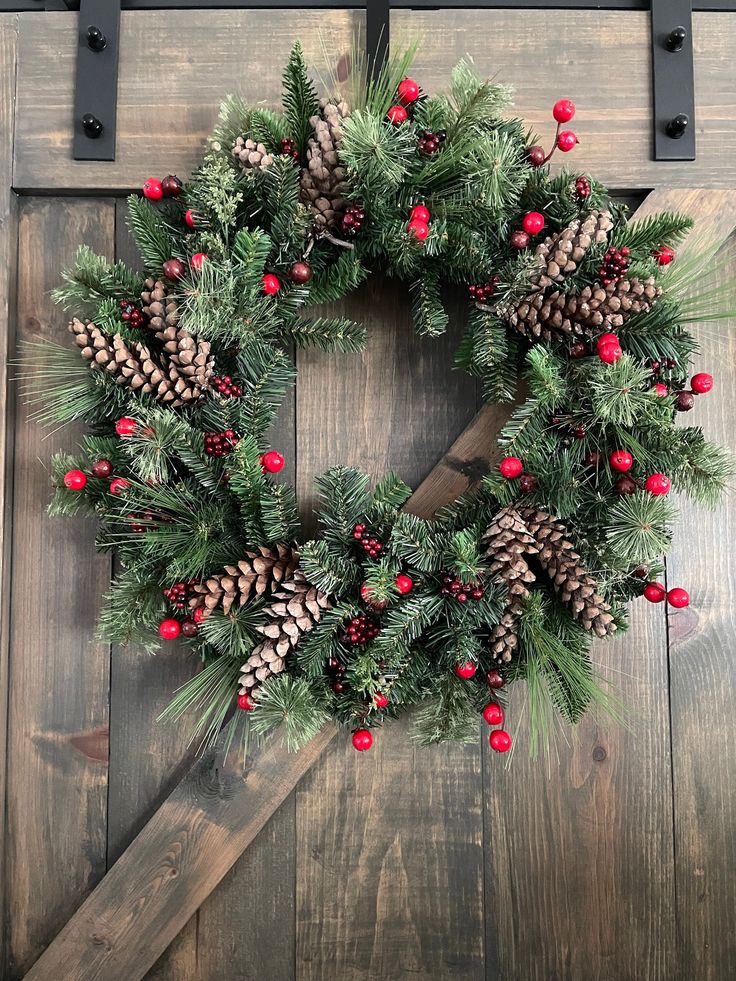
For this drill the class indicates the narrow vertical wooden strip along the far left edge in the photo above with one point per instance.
(8, 241)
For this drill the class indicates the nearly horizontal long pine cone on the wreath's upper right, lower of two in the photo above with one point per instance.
(594, 310)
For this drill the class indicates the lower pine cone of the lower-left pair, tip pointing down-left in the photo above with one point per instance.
(295, 610)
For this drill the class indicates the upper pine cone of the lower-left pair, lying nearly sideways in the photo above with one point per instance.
(254, 575)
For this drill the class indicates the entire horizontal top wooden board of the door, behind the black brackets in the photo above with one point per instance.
(601, 58)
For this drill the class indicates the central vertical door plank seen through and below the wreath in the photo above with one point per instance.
(389, 845)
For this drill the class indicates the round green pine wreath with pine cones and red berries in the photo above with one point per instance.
(182, 368)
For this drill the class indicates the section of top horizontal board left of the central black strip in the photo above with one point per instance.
(175, 69)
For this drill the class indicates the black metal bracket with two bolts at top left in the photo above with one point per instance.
(96, 94)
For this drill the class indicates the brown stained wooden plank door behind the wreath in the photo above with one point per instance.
(612, 862)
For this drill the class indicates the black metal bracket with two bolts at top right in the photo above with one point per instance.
(673, 80)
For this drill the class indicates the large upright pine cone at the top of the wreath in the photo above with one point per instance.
(323, 182)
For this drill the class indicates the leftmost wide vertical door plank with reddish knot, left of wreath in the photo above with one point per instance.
(59, 676)
